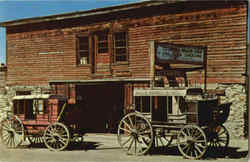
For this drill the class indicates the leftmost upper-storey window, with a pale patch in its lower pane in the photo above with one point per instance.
(83, 50)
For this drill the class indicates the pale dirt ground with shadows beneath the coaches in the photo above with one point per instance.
(104, 148)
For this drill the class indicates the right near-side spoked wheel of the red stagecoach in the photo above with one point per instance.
(56, 137)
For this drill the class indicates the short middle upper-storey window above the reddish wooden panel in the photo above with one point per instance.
(102, 42)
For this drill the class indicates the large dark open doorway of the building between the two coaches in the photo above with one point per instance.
(103, 106)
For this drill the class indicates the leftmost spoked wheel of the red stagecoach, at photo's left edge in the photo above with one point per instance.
(12, 131)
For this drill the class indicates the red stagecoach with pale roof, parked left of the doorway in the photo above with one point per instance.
(42, 118)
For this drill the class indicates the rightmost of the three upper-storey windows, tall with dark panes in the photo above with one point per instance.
(120, 46)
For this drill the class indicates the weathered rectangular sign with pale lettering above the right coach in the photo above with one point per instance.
(171, 53)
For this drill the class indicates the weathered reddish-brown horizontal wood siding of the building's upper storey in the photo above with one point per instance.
(38, 53)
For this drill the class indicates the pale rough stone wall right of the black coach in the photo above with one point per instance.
(236, 94)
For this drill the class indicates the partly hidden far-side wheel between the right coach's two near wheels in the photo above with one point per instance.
(161, 140)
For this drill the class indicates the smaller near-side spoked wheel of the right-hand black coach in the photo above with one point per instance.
(192, 142)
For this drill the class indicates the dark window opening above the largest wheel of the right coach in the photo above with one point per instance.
(142, 103)
